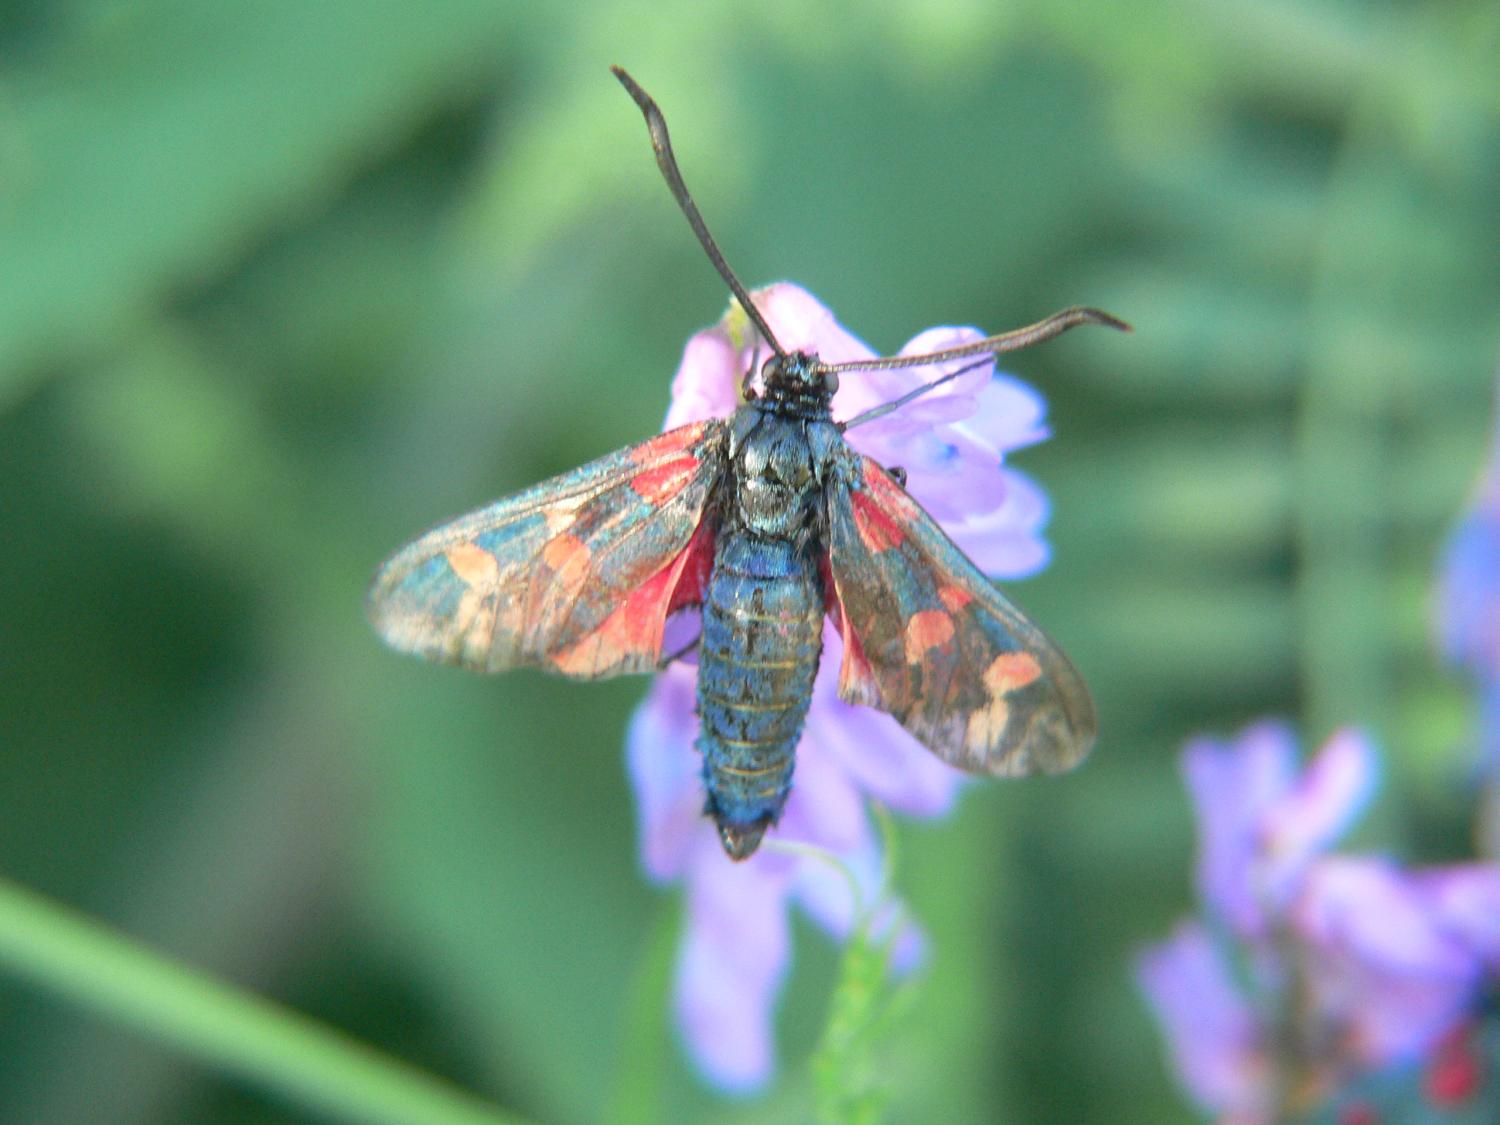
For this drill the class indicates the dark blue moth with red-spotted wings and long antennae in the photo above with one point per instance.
(767, 521)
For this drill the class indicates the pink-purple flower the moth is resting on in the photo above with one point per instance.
(737, 947)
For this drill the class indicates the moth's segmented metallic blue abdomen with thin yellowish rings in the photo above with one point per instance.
(758, 658)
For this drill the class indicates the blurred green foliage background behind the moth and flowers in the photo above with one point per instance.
(284, 284)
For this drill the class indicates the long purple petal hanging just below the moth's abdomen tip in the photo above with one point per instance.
(731, 967)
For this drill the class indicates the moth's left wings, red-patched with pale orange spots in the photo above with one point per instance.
(575, 575)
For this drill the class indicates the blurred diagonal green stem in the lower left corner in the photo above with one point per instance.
(218, 1025)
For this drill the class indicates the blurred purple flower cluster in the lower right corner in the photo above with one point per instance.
(1309, 970)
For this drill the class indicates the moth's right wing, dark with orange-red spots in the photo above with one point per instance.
(929, 640)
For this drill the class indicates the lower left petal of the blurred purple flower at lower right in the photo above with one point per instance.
(1211, 1030)
